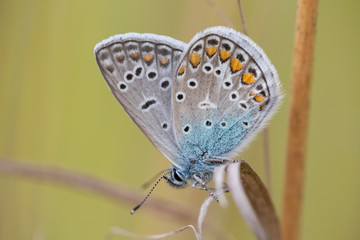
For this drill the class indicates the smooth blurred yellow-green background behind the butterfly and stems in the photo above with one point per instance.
(55, 109)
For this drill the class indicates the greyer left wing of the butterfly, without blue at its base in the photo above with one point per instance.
(138, 69)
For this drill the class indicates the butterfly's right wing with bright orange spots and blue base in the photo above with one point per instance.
(225, 89)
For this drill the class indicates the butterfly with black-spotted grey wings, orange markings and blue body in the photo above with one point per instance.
(198, 103)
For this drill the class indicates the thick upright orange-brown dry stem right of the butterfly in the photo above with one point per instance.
(299, 111)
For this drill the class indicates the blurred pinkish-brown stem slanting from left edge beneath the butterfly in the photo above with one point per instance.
(86, 182)
